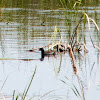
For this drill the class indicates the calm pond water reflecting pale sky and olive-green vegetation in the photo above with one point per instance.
(27, 25)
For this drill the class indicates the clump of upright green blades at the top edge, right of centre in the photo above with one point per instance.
(68, 6)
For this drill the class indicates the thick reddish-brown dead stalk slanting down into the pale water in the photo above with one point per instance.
(73, 59)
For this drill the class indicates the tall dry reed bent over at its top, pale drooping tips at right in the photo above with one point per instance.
(73, 39)
